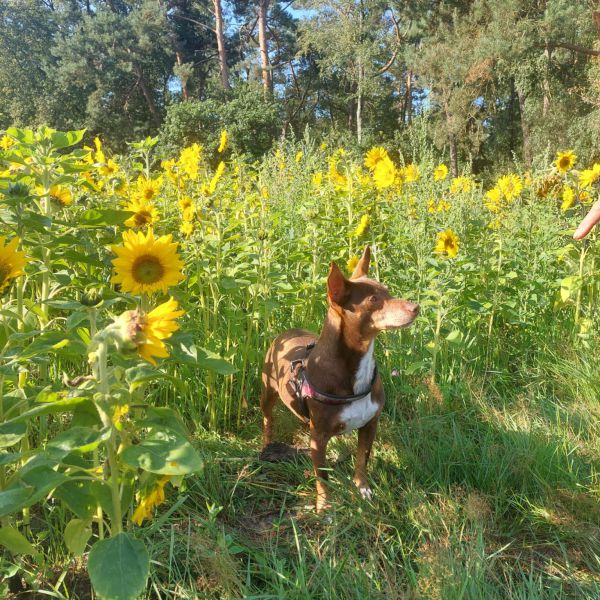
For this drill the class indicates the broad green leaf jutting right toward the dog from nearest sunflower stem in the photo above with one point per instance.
(165, 453)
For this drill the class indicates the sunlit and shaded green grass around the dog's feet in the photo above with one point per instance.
(474, 498)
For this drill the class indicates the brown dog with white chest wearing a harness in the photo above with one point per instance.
(331, 381)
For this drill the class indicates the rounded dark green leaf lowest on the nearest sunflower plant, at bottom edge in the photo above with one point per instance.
(118, 567)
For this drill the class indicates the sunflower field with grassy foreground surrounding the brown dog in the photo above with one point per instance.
(139, 293)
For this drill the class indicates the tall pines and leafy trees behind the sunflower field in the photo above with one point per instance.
(485, 81)
